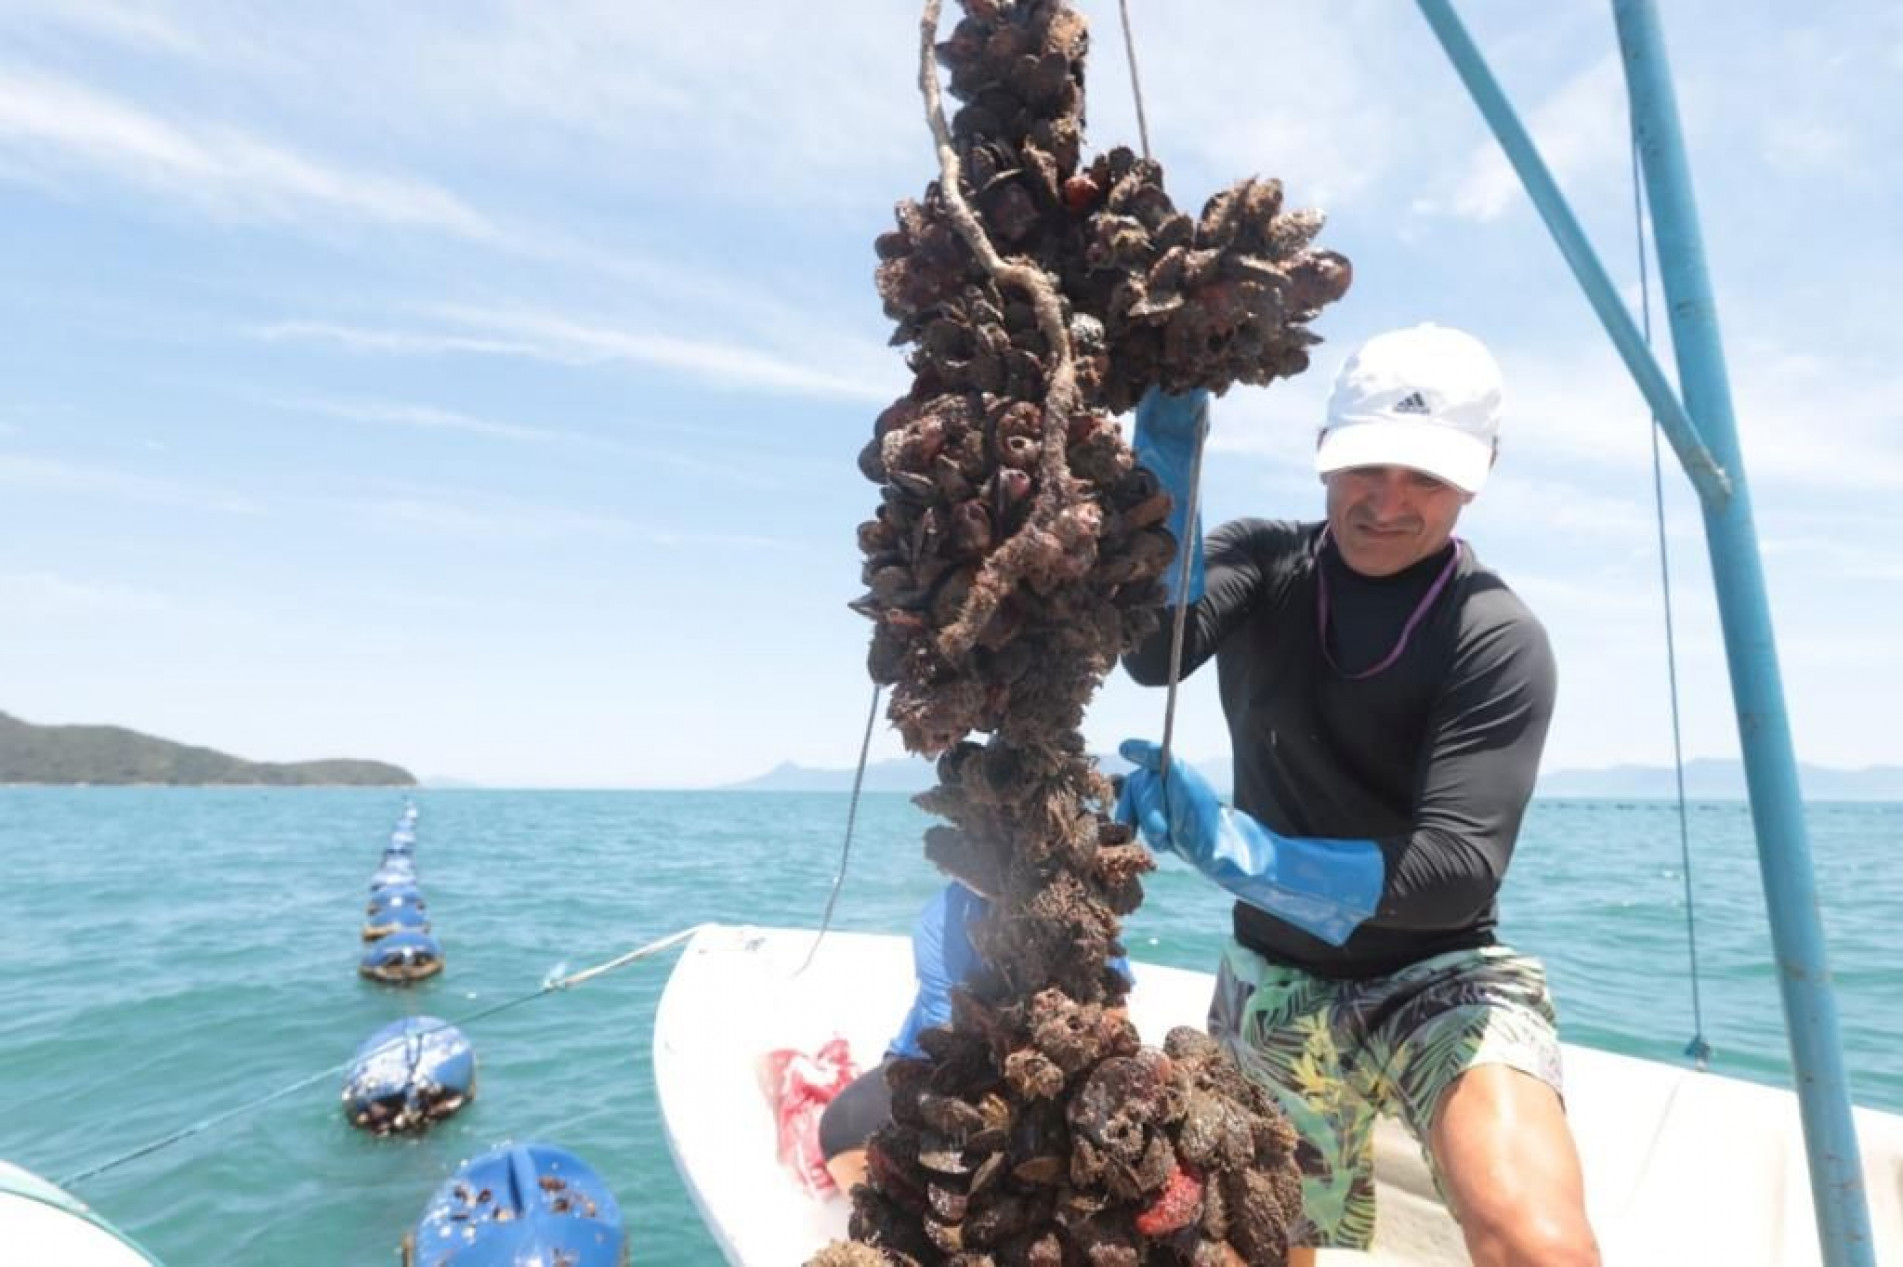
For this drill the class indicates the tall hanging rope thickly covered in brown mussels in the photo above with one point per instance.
(1017, 551)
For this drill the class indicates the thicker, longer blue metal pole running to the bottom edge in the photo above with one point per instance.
(1771, 764)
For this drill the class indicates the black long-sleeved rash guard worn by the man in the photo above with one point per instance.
(1434, 758)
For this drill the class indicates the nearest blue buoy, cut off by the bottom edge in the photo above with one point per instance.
(522, 1205)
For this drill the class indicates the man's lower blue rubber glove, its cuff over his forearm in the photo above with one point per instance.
(1324, 887)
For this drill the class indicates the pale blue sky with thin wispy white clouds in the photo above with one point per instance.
(479, 385)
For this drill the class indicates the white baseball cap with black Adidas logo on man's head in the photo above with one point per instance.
(1426, 399)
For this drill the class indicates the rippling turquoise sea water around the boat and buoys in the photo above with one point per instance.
(174, 952)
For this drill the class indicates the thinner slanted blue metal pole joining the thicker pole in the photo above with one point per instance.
(1632, 345)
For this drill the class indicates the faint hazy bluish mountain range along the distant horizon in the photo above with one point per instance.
(1706, 779)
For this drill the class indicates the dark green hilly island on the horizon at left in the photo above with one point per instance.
(33, 754)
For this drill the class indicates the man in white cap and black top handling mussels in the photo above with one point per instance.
(1388, 699)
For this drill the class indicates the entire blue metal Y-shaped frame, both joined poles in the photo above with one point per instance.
(1738, 575)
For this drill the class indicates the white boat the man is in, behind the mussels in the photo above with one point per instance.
(1681, 1167)
